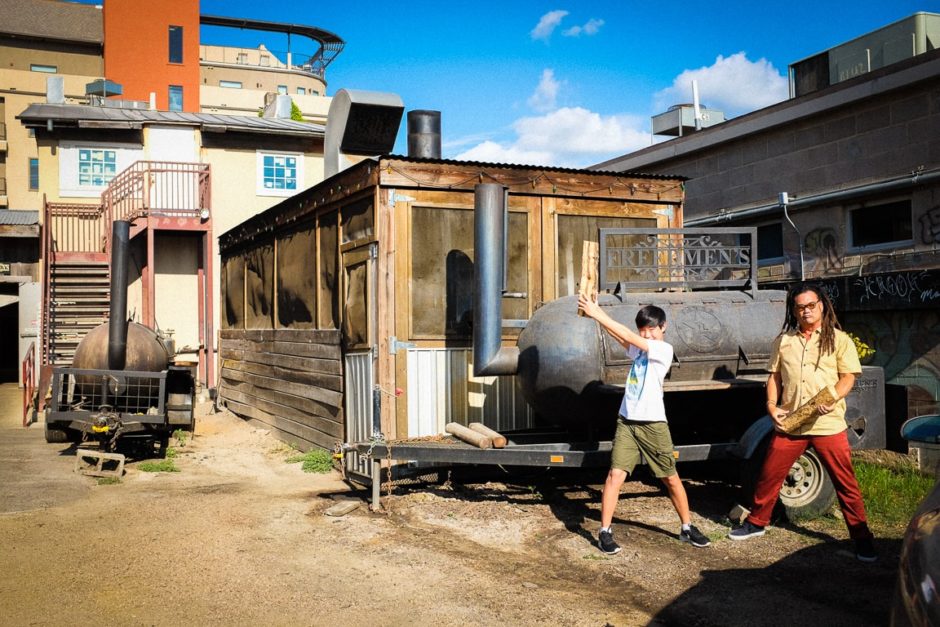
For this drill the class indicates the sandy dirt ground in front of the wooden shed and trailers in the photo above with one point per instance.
(239, 536)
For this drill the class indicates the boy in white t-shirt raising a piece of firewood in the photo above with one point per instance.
(641, 426)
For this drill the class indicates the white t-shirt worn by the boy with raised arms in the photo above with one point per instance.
(643, 396)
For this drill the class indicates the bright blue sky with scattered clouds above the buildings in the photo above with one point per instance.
(566, 83)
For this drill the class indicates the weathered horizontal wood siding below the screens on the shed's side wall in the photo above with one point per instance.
(289, 379)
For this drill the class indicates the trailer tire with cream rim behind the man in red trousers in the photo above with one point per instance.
(807, 492)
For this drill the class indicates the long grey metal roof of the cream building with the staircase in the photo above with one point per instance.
(87, 116)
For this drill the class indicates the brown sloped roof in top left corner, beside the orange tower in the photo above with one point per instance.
(52, 19)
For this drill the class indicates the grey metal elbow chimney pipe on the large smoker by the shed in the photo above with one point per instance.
(489, 236)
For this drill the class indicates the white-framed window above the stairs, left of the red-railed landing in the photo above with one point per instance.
(86, 168)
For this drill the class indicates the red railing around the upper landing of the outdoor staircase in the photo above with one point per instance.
(158, 188)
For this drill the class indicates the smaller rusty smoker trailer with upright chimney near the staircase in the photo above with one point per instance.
(123, 382)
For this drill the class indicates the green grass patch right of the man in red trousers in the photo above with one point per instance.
(891, 494)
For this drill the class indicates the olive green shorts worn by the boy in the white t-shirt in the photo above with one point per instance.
(635, 441)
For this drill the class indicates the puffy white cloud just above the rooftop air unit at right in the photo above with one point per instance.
(732, 84)
